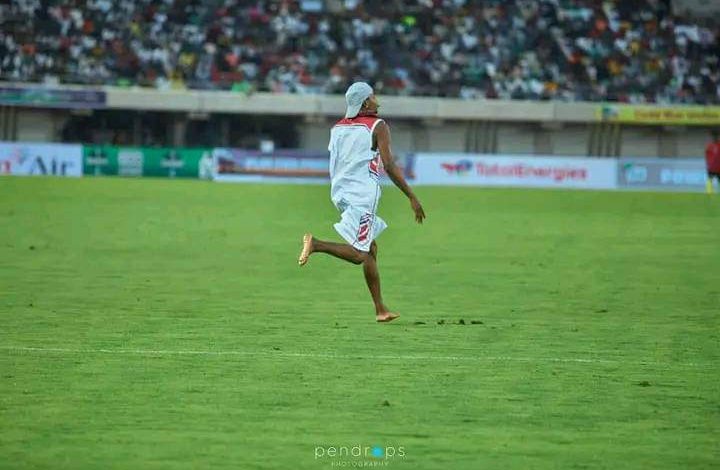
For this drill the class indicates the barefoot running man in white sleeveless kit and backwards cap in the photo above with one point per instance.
(358, 145)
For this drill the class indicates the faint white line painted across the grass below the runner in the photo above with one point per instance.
(321, 355)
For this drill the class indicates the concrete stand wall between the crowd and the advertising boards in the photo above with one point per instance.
(418, 124)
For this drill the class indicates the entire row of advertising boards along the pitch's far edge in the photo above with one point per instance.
(311, 167)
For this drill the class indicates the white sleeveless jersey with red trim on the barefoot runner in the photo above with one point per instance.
(354, 163)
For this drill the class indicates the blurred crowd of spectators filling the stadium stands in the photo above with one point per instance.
(616, 50)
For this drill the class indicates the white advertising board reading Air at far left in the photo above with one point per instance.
(26, 158)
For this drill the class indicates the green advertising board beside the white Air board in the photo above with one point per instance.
(108, 160)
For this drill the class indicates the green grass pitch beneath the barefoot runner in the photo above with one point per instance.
(165, 324)
